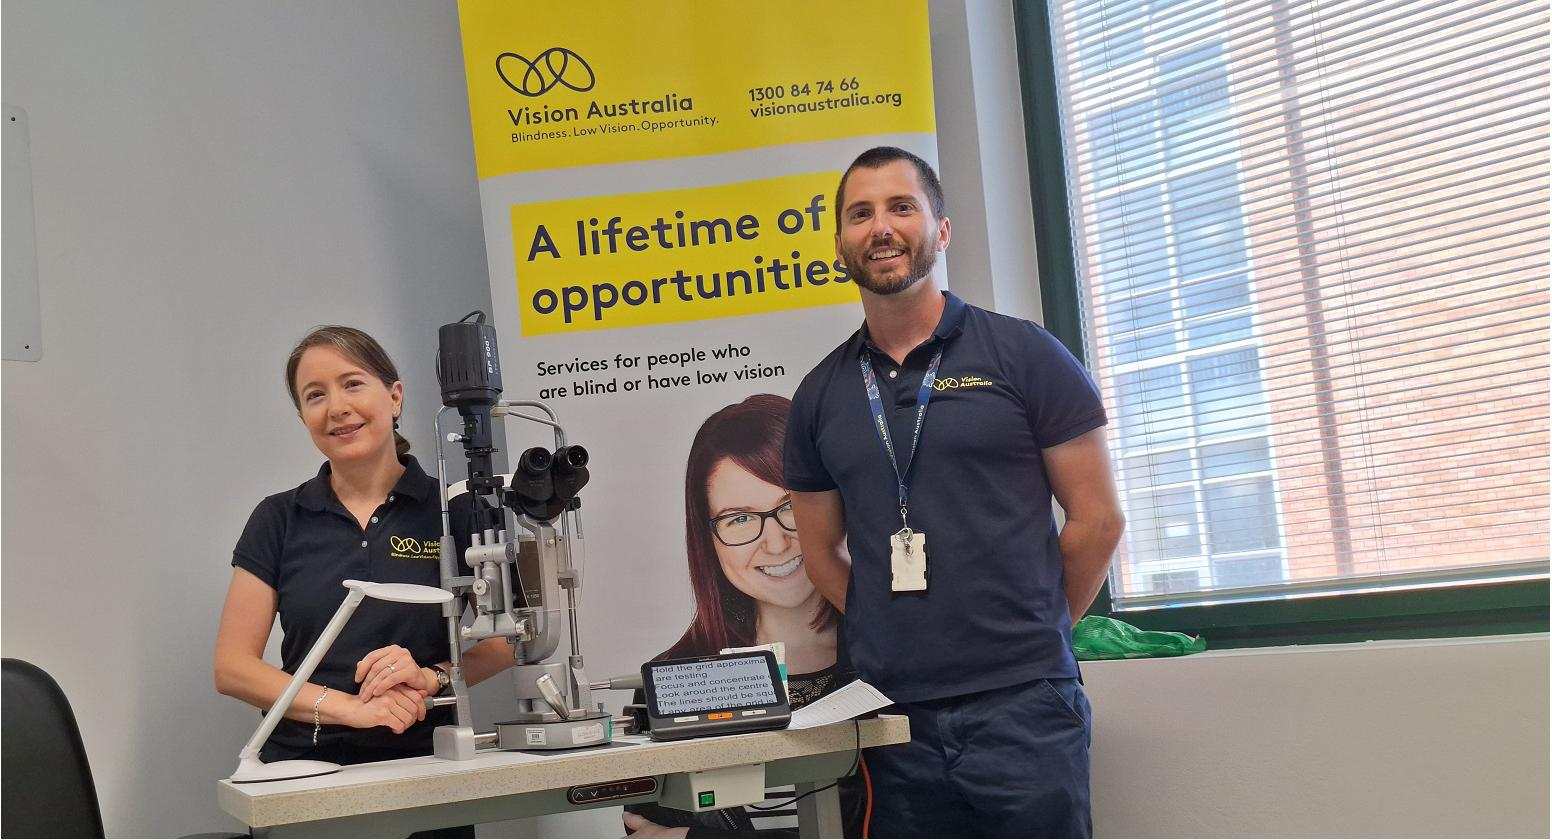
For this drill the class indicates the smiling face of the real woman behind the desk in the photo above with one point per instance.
(347, 411)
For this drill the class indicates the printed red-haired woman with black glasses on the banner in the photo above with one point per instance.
(746, 569)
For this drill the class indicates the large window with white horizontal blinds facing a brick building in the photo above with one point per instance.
(1304, 251)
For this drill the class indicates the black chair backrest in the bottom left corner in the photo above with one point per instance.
(47, 782)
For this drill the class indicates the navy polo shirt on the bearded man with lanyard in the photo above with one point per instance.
(996, 611)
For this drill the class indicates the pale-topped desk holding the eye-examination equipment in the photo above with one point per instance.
(392, 799)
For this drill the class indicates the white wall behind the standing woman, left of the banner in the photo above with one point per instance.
(210, 179)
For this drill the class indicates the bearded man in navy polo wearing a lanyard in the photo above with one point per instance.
(955, 477)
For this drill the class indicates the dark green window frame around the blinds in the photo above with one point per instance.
(1461, 609)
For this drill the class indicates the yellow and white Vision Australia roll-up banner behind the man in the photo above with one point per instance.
(659, 190)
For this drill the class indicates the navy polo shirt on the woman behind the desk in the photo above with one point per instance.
(305, 544)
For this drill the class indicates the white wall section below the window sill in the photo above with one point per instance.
(1381, 740)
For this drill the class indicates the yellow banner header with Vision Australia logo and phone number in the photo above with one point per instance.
(609, 83)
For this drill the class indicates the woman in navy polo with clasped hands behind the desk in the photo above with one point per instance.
(373, 515)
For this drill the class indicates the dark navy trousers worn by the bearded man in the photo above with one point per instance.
(1003, 763)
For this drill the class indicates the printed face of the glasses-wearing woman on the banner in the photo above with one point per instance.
(769, 569)
